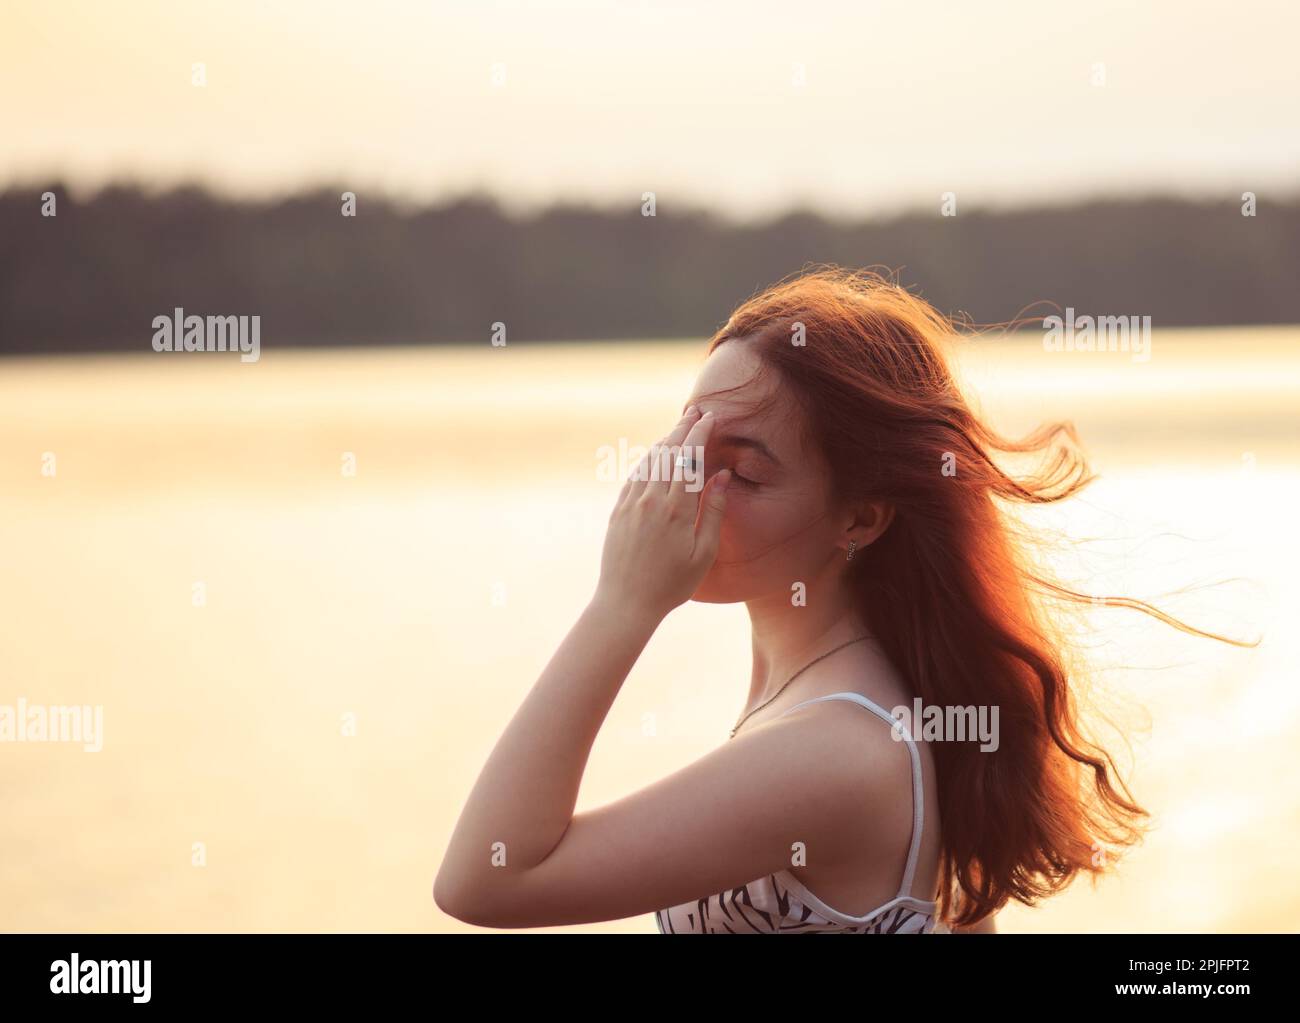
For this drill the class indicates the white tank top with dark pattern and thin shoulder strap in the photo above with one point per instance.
(781, 905)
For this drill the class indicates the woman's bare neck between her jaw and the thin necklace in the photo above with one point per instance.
(787, 638)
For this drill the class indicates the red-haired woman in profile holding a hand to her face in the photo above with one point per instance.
(852, 505)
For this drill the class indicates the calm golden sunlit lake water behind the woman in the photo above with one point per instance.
(304, 670)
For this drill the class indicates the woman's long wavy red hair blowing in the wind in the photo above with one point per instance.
(950, 589)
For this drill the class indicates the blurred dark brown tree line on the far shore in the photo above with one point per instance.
(94, 276)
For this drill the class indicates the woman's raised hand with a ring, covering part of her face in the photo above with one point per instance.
(656, 552)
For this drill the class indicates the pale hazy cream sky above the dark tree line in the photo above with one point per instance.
(743, 107)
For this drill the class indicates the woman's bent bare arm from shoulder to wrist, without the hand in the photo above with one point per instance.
(717, 825)
